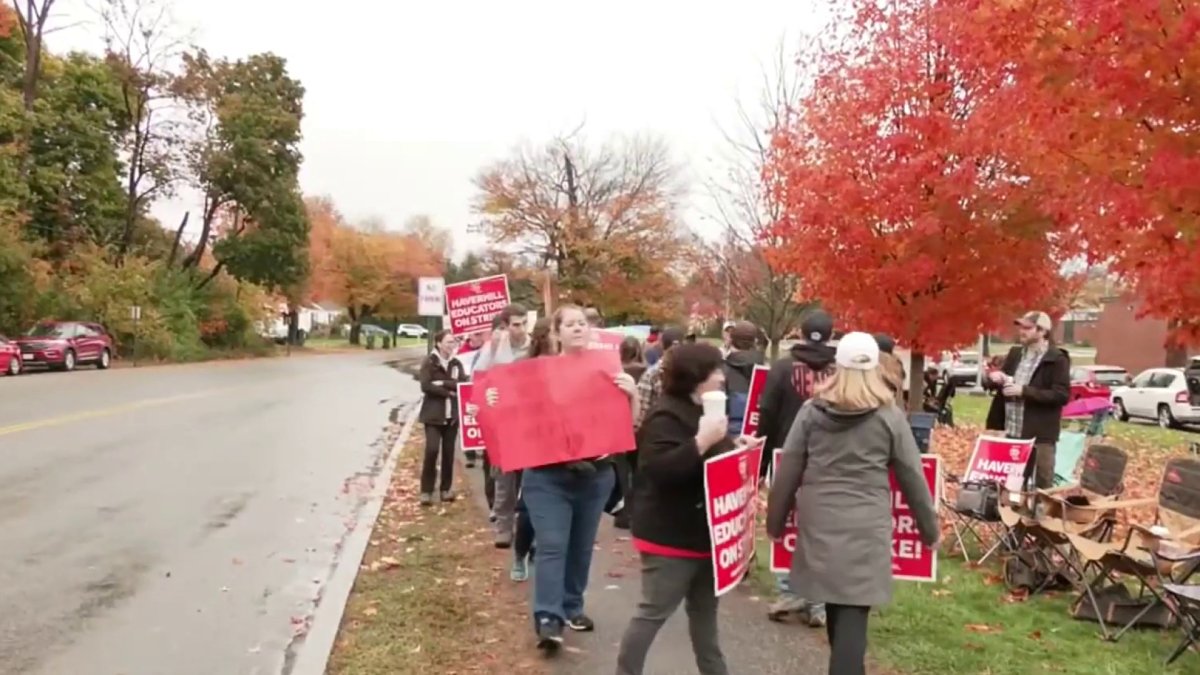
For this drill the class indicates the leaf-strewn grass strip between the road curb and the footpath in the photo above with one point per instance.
(433, 594)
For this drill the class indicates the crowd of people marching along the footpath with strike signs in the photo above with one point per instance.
(830, 404)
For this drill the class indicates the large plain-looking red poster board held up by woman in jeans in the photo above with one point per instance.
(553, 410)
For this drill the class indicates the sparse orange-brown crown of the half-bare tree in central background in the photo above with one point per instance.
(601, 223)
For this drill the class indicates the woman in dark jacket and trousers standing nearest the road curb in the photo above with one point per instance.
(440, 377)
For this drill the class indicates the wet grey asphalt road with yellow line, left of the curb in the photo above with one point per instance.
(182, 519)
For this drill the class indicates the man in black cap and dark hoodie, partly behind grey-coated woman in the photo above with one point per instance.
(790, 384)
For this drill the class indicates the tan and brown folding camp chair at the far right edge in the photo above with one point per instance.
(1147, 554)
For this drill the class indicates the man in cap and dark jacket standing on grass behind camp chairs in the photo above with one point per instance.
(1031, 390)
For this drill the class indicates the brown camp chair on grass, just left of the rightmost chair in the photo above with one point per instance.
(1040, 536)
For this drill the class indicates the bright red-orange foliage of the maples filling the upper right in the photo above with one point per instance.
(951, 158)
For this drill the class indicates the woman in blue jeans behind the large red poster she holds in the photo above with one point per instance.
(566, 503)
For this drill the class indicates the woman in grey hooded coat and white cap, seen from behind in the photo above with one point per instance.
(838, 457)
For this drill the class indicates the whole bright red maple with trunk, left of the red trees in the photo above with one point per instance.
(901, 211)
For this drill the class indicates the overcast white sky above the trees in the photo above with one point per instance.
(407, 101)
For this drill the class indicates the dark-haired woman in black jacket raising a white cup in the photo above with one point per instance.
(670, 518)
